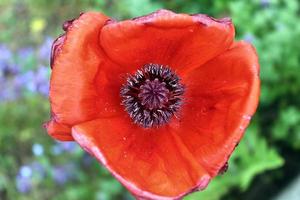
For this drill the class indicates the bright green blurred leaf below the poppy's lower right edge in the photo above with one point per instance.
(253, 156)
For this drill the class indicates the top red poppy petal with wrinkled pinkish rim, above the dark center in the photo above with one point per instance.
(181, 41)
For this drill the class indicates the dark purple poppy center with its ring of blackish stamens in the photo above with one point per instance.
(152, 95)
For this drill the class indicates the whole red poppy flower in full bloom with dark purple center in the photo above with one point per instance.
(160, 100)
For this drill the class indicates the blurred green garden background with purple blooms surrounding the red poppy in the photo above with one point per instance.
(34, 166)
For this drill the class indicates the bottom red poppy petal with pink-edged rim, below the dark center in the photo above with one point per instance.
(149, 162)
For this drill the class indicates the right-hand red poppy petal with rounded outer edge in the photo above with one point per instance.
(221, 97)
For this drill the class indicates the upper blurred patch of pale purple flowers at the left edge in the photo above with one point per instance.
(16, 80)
